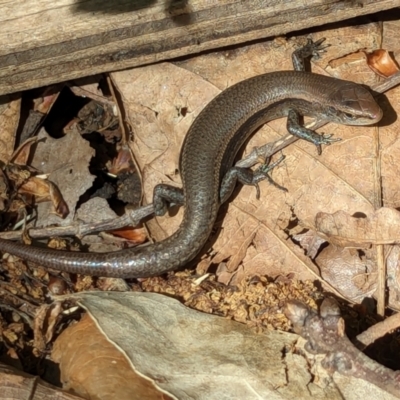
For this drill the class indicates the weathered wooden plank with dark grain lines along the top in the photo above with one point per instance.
(44, 42)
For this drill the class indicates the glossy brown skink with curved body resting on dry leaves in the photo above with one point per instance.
(207, 156)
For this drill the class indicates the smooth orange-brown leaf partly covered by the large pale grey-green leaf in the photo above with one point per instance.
(93, 368)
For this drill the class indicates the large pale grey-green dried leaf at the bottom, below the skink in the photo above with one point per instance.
(192, 355)
